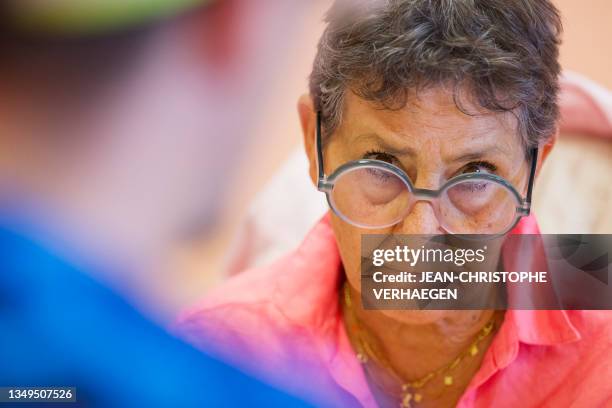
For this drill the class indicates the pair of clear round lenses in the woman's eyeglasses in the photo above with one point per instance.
(375, 197)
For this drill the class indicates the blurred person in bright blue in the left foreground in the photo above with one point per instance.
(110, 144)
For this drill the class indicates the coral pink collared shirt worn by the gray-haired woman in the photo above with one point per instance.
(283, 323)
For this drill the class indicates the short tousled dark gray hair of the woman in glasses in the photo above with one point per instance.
(505, 52)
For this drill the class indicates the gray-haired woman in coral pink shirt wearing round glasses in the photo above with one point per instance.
(407, 97)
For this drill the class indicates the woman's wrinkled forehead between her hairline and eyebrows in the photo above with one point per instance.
(431, 117)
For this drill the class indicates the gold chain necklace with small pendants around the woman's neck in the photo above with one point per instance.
(410, 390)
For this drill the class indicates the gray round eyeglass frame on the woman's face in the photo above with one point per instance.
(326, 184)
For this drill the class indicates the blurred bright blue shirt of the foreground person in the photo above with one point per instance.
(59, 327)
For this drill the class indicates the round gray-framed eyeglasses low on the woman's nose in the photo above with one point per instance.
(375, 194)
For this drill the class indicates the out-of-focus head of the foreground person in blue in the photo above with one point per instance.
(128, 115)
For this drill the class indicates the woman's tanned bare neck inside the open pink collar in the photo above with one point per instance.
(414, 349)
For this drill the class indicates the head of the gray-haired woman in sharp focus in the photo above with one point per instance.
(438, 89)
